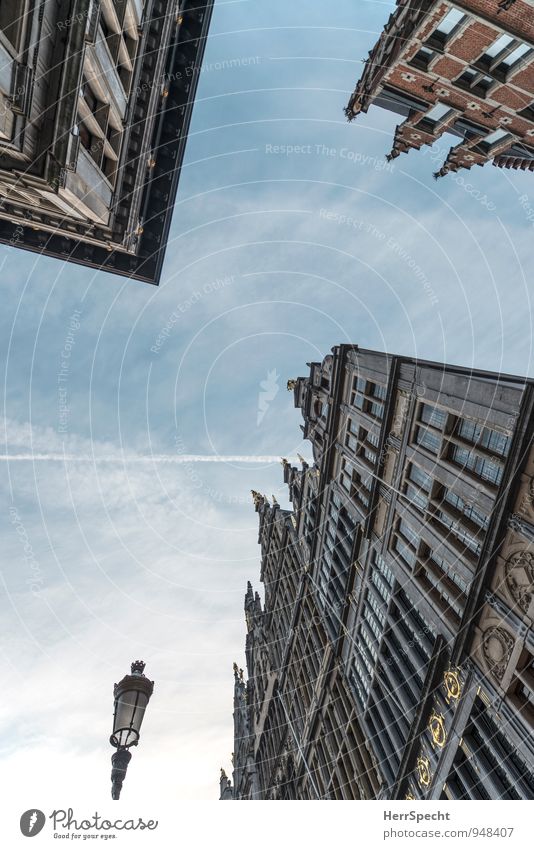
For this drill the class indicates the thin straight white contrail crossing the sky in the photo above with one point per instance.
(179, 459)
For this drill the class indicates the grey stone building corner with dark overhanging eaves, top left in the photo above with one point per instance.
(96, 98)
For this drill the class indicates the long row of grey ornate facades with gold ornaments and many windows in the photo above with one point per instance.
(393, 654)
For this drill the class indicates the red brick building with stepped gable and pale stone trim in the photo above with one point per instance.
(465, 68)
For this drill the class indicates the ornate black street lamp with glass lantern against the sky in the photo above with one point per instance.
(131, 695)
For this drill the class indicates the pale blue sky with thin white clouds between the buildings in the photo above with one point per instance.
(137, 419)
